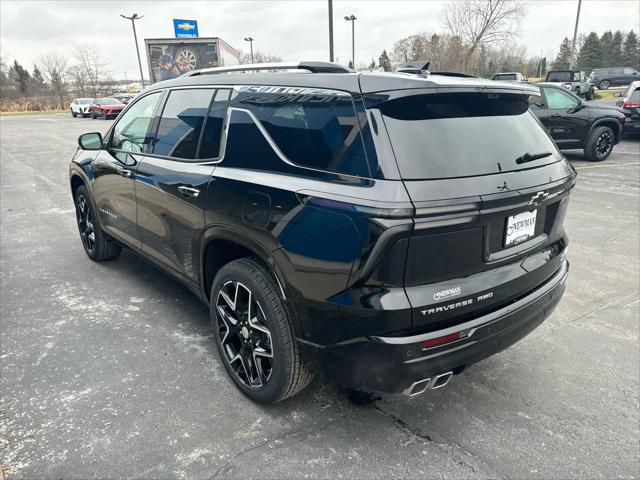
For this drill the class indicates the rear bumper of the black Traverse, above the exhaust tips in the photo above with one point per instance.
(393, 364)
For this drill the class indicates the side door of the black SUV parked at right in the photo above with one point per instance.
(565, 121)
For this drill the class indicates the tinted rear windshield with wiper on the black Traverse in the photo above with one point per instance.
(464, 134)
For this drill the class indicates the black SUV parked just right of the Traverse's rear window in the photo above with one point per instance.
(575, 124)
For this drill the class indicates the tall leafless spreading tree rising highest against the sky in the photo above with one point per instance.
(481, 22)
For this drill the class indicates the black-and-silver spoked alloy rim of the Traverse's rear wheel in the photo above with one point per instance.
(245, 339)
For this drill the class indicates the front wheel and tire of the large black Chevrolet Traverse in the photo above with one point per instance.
(97, 245)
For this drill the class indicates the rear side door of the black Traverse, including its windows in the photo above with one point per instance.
(171, 181)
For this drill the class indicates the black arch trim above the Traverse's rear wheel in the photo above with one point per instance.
(222, 244)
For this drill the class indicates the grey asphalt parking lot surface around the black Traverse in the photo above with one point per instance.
(110, 370)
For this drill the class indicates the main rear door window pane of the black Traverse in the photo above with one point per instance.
(181, 123)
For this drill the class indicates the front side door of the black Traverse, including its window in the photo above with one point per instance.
(114, 170)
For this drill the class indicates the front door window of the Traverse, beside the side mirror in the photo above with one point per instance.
(130, 133)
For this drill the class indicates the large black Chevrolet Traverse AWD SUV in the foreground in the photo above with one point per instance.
(380, 230)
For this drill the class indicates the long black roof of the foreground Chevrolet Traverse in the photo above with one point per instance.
(362, 82)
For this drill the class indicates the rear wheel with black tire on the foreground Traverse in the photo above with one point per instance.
(260, 356)
